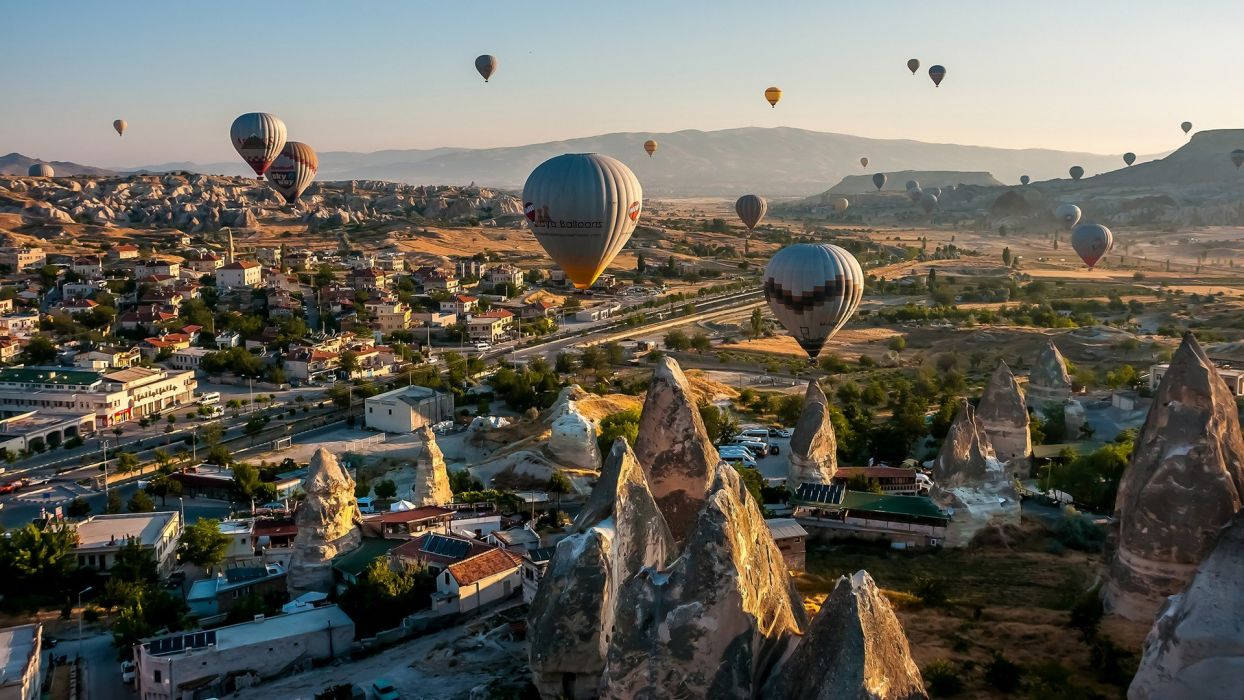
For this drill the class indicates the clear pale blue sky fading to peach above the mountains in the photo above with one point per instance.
(1089, 75)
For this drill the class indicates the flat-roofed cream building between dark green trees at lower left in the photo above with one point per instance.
(101, 537)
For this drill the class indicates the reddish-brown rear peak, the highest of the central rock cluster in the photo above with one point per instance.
(675, 448)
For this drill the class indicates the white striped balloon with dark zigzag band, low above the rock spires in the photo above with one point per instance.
(814, 290)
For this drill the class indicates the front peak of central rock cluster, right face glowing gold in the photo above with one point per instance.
(718, 620)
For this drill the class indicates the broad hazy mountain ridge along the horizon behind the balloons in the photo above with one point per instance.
(774, 162)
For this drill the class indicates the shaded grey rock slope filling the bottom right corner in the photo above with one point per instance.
(1196, 648)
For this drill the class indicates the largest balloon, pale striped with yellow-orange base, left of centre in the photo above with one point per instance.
(583, 210)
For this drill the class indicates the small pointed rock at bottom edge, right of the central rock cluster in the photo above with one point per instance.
(855, 650)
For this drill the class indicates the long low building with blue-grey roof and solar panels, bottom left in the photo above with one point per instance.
(201, 665)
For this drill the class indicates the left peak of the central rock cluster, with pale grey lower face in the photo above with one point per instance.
(619, 533)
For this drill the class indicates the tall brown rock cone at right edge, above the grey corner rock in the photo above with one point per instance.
(1182, 487)
